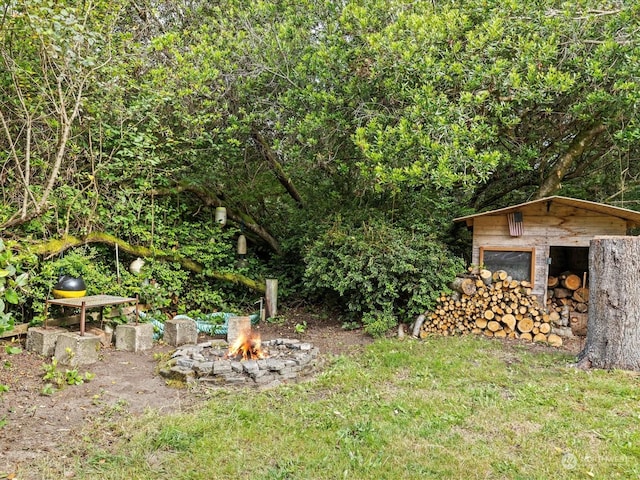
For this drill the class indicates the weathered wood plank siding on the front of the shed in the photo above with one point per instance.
(560, 226)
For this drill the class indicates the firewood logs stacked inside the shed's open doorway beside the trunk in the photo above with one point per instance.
(568, 297)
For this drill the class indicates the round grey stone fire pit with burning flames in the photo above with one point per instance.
(247, 362)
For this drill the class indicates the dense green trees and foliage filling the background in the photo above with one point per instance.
(139, 119)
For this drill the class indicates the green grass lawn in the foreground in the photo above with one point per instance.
(459, 408)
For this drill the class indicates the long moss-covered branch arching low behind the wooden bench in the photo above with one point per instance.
(53, 247)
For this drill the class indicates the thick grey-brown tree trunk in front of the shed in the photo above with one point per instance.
(613, 333)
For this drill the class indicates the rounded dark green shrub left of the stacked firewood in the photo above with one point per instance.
(382, 272)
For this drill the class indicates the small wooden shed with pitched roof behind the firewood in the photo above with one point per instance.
(544, 237)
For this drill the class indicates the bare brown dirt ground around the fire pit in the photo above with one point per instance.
(33, 424)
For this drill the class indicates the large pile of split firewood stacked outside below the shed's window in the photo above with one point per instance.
(491, 304)
